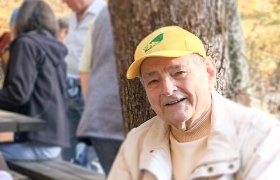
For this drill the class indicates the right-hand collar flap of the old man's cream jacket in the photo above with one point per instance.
(223, 134)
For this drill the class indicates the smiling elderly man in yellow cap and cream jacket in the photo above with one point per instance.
(197, 133)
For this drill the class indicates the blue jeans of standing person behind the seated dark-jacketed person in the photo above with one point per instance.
(75, 105)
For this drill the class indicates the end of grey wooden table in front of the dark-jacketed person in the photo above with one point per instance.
(12, 122)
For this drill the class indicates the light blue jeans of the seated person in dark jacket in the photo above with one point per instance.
(29, 151)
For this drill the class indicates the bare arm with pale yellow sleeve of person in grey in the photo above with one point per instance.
(85, 62)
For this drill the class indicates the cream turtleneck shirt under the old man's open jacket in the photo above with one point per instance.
(188, 147)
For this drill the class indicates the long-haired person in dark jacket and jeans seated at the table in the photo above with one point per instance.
(35, 83)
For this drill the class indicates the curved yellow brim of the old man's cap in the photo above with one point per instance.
(134, 68)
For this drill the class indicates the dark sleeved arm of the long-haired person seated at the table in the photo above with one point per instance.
(21, 76)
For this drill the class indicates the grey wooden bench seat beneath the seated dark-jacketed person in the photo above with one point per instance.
(53, 170)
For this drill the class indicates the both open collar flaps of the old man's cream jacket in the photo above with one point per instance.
(222, 143)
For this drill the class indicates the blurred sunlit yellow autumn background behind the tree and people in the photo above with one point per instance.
(261, 27)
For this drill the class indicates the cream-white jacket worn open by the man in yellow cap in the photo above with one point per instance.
(243, 145)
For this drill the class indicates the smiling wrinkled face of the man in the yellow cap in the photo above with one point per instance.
(179, 89)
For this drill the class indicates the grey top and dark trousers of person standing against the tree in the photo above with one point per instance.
(102, 119)
